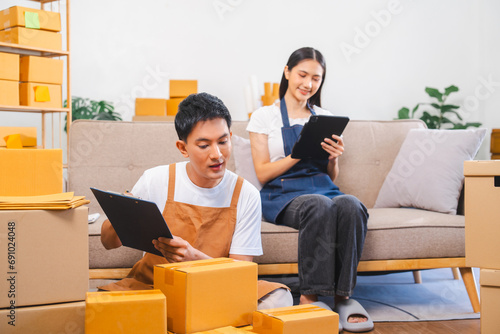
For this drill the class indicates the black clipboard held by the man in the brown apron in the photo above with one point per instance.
(137, 222)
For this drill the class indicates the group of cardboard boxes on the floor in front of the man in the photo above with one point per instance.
(207, 296)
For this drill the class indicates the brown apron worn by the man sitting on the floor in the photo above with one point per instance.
(207, 229)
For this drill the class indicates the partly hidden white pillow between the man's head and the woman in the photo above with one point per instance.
(243, 160)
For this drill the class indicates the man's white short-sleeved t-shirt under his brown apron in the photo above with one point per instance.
(153, 186)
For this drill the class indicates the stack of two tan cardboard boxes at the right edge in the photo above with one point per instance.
(482, 235)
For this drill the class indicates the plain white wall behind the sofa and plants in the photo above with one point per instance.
(122, 49)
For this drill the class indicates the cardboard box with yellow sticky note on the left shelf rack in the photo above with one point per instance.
(41, 95)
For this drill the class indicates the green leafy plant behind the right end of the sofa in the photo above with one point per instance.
(437, 117)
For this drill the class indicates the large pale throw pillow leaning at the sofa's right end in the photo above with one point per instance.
(428, 170)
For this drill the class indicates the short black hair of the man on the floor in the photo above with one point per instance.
(196, 108)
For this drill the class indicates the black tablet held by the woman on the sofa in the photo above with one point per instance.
(319, 127)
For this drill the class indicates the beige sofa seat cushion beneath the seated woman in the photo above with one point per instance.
(394, 233)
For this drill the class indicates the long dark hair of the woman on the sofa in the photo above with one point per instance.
(296, 57)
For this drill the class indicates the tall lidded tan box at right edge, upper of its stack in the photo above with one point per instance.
(482, 213)
